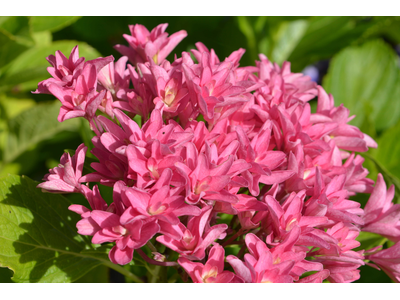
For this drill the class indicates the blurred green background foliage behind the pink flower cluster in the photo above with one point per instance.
(363, 75)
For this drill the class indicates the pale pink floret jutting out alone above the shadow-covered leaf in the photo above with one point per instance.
(65, 178)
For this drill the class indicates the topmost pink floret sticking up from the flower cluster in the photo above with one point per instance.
(155, 45)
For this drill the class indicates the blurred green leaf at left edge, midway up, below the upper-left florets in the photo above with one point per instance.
(33, 126)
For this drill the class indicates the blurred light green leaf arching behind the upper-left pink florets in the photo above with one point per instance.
(31, 66)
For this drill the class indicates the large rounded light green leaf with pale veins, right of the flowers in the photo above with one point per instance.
(366, 80)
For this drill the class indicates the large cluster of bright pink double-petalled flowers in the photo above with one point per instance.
(282, 174)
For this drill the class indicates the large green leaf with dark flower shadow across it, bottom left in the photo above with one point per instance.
(38, 238)
